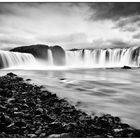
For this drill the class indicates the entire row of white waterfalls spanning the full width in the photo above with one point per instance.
(116, 57)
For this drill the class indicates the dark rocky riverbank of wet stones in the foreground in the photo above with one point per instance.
(28, 110)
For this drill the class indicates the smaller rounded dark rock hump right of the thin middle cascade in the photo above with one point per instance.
(58, 55)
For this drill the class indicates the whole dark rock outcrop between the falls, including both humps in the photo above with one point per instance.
(41, 52)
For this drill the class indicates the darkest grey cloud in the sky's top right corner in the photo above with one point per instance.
(114, 10)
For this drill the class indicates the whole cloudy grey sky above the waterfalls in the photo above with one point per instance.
(70, 25)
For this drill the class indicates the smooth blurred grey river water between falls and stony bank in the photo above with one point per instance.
(114, 91)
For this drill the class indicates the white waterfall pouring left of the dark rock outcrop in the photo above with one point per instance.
(10, 59)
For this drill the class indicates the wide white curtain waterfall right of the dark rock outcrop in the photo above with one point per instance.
(116, 57)
